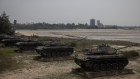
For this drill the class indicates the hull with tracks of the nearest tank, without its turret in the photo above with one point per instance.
(97, 63)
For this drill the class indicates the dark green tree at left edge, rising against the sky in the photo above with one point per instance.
(5, 25)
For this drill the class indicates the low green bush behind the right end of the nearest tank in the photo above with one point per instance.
(130, 54)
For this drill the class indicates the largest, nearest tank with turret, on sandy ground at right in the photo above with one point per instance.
(101, 58)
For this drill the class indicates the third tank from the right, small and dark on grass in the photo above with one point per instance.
(28, 45)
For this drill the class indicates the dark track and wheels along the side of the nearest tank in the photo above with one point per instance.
(103, 65)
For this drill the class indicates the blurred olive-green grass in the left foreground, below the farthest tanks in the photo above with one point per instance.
(6, 59)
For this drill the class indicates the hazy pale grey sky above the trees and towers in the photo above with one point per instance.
(116, 12)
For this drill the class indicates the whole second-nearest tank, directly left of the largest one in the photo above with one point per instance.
(54, 49)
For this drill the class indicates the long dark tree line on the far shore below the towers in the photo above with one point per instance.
(61, 26)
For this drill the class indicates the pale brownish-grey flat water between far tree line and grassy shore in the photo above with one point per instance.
(100, 34)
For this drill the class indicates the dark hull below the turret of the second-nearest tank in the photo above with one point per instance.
(54, 51)
